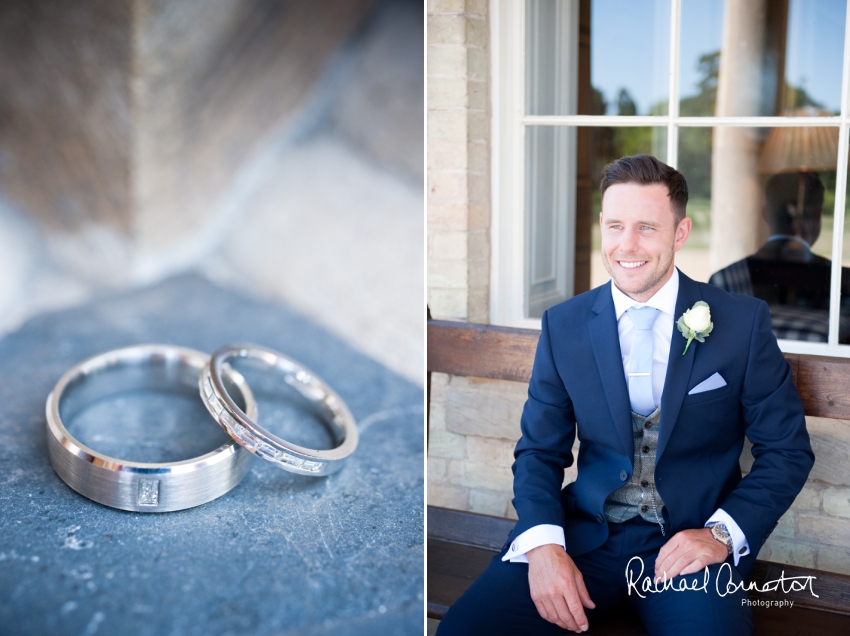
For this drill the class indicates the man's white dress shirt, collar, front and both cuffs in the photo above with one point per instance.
(665, 301)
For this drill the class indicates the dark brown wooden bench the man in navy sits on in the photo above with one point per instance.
(460, 544)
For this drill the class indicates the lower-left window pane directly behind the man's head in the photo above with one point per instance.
(563, 167)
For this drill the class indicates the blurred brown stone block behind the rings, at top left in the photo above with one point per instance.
(138, 112)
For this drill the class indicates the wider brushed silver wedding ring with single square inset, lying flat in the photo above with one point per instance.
(131, 485)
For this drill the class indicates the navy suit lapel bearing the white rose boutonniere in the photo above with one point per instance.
(678, 366)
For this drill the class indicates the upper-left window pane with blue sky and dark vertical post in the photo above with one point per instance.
(619, 65)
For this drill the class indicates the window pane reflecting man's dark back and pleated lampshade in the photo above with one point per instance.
(762, 211)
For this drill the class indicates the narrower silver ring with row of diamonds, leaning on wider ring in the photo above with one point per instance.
(244, 429)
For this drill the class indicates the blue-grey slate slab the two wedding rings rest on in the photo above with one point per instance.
(279, 554)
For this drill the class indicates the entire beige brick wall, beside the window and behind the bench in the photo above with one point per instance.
(474, 423)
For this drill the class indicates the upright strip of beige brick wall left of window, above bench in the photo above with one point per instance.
(458, 160)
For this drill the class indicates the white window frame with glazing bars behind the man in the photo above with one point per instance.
(509, 121)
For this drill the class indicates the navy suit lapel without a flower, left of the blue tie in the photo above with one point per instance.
(605, 340)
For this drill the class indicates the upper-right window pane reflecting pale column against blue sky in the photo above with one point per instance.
(761, 57)
